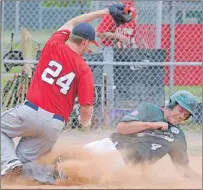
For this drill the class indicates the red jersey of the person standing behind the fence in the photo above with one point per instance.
(107, 25)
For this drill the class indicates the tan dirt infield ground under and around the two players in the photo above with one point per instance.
(161, 175)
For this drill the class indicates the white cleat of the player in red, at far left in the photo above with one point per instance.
(12, 167)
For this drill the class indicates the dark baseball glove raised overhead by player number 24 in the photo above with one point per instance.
(121, 13)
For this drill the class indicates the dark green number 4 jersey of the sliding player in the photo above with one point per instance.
(151, 145)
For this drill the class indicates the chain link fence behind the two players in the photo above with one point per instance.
(160, 53)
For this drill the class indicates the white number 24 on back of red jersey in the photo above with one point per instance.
(64, 82)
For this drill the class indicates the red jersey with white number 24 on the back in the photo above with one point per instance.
(60, 76)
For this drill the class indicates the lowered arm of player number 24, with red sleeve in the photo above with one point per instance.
(86, 98)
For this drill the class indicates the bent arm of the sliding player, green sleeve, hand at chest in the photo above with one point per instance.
(138, 121)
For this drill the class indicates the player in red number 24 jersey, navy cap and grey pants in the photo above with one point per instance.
(60, 76)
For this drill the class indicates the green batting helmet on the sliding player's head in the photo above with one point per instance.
(185, 99)
